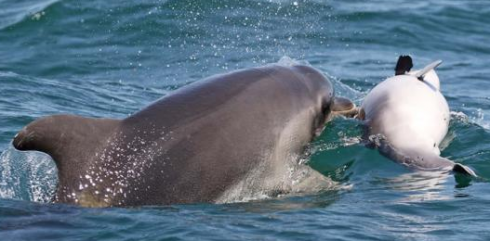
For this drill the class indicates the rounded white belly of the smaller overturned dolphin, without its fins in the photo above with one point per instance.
(410, 113)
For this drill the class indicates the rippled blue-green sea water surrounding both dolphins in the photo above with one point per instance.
(111, 58)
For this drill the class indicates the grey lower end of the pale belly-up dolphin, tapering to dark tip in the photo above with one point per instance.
(418, 160)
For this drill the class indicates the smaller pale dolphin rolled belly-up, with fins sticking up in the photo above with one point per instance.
(407, 117)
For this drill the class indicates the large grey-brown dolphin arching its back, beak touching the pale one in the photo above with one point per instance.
(226, 138)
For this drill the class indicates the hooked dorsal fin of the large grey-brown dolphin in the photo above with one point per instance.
(67, 139)
